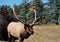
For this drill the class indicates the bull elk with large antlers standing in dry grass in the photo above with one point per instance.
(19, 29)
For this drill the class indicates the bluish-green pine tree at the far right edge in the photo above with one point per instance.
(54, 8)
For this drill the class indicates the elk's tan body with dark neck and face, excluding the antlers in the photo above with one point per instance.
(18, 30)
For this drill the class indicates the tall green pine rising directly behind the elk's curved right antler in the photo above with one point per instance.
(38, 6)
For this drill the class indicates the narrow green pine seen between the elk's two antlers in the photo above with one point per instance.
(23, 9)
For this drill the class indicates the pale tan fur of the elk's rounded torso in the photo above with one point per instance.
(16, 29)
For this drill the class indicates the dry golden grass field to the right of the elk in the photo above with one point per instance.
(45, 33)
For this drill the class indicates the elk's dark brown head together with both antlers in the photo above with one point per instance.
(29, 26)
